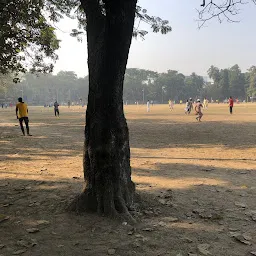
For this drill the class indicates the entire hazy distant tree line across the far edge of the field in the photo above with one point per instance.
(140, 85)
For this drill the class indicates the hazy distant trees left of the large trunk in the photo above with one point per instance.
(40, 89)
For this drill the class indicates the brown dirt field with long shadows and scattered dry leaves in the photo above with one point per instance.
(197, 182)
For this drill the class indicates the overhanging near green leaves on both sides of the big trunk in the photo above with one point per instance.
(27, 37)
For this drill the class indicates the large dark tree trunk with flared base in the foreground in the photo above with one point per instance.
(109, 189)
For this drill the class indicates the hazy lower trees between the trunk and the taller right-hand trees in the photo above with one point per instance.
(160, 87)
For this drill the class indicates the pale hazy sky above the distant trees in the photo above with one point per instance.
(185, 49)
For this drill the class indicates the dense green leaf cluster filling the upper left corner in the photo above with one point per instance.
(26, 37)
